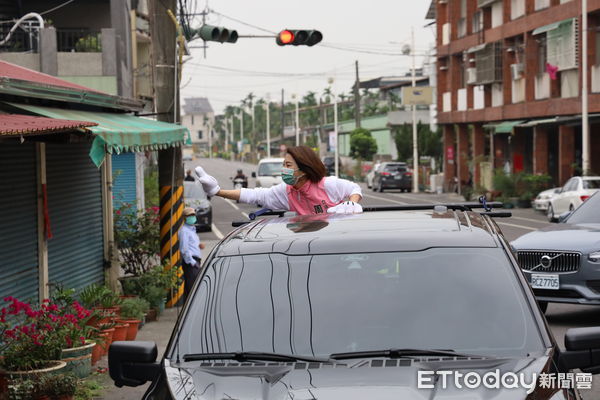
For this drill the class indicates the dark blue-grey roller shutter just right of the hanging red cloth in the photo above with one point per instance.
(76, 252)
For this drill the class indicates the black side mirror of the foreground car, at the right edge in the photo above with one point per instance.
(582, 350)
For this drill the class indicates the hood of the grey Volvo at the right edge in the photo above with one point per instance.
(576, 237)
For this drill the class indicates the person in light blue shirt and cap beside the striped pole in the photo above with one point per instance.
(190, 248)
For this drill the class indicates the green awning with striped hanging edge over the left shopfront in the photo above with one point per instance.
(118, 133)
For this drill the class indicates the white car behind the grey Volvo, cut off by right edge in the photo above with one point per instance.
(572, 195)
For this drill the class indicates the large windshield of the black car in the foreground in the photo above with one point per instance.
(467, 300)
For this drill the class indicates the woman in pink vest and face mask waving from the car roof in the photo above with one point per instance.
(305, 188)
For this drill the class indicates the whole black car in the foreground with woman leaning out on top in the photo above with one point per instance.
(356, 307)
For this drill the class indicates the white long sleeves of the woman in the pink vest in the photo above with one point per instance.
(276, 198)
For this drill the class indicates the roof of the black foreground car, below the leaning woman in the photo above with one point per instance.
(379, 231)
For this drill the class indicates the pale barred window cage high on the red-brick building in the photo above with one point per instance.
(562, 45)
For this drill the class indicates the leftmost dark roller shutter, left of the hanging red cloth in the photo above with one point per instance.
(18, 222)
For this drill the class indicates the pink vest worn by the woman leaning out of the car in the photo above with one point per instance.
(311, 198)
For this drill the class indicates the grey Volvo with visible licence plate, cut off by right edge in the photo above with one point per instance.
(562, 262)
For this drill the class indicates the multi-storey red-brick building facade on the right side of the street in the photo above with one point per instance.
(509, 75)
